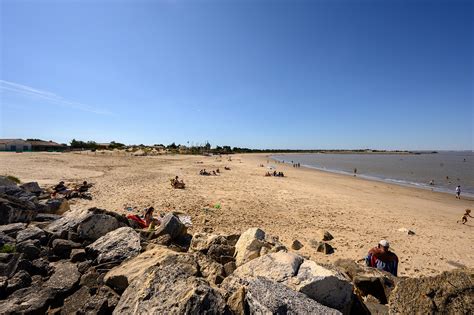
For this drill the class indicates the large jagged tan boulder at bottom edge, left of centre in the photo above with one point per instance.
(171, 289)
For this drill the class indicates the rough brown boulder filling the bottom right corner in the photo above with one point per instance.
(448, 293)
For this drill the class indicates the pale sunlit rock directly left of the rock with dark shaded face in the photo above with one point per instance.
(276, 266)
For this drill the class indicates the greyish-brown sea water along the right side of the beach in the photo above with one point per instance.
(445, 169)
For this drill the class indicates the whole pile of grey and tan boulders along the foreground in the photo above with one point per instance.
(95, 262)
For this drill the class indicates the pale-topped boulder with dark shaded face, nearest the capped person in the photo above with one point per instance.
(326, 286)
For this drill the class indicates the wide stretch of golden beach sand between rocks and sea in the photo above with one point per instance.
(357, 212)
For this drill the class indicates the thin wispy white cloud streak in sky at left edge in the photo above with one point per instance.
(49, 97)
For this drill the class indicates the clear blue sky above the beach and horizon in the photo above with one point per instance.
(260, 74)
